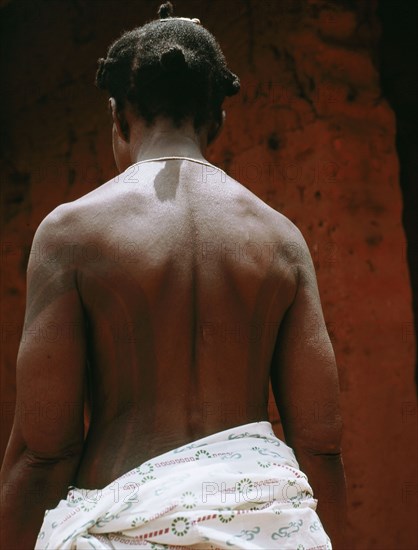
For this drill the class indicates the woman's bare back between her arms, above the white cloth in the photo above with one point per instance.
(184, 283)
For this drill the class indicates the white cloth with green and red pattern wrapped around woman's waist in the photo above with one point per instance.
(238, 488)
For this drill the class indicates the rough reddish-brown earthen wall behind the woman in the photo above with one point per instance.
(313, 133)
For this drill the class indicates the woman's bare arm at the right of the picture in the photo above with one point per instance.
(305, 385)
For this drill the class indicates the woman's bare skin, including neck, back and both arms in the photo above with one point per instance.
(174, 295)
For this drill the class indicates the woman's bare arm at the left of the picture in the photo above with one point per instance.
(46, 443)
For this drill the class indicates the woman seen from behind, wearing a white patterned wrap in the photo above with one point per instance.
(189, 306)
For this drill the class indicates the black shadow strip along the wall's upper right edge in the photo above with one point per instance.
(398, 54)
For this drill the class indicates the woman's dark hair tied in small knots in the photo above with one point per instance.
(171, 67)
